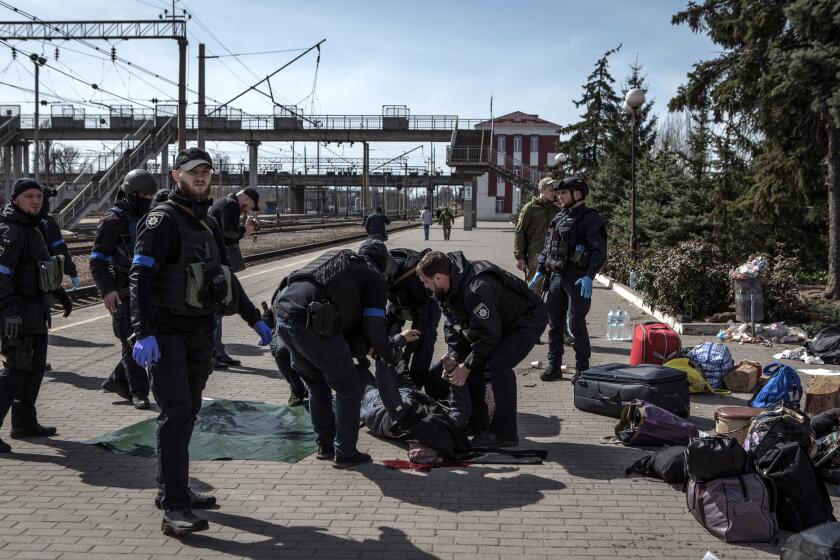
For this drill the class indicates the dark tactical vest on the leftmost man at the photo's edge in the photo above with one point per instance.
(34, 303)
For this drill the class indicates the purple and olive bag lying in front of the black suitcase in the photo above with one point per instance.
(646, 425)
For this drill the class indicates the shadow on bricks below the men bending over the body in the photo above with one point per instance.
(456, 490)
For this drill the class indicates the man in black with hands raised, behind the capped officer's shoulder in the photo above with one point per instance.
(227, 211)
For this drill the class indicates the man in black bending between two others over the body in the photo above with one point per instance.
(408, 300)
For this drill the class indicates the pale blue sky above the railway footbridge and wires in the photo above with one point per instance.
(436, 57)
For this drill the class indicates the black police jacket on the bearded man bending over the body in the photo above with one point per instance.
(480, 308)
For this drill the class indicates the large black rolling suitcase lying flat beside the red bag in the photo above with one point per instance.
(603, 389)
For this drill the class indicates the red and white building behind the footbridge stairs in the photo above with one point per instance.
(522, 138)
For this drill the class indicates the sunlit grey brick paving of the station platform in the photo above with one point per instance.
(62, 499)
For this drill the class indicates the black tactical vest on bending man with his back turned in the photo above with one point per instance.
(332, 274)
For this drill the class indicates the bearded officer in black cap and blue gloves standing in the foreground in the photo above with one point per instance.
(179, 282)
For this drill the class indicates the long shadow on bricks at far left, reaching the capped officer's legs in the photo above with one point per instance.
(96, 469)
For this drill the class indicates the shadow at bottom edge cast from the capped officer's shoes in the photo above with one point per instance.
(301, 541)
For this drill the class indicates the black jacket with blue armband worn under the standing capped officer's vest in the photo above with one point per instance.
(159, 243)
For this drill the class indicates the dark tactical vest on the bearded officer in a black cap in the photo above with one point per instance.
(176, 283)
